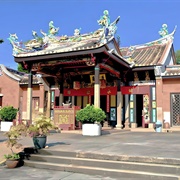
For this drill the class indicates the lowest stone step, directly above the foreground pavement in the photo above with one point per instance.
(106, 172)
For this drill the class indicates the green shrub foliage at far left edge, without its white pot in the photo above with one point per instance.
(8, 113)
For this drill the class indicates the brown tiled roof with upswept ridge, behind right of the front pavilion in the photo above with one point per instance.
(149, 54)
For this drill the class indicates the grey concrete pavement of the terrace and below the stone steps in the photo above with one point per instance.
(145, 145)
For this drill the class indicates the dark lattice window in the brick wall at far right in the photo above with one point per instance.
(175, 109)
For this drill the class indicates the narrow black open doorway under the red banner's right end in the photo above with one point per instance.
(139, 109)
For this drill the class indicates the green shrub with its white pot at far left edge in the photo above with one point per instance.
(7, 115)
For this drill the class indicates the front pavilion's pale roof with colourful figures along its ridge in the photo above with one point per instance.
(51, 43)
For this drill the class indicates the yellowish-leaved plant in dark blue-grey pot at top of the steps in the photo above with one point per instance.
(39, 130)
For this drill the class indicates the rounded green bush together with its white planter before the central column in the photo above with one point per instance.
(91, 118)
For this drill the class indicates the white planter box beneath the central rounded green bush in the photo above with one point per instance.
(91, 129)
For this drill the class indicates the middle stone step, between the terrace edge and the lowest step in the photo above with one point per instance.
(109, 164)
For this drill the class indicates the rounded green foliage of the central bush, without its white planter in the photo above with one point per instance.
(90, 114)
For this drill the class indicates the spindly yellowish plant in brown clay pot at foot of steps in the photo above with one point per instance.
(13, 159)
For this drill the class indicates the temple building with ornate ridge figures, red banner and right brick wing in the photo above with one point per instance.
(135, 86)
